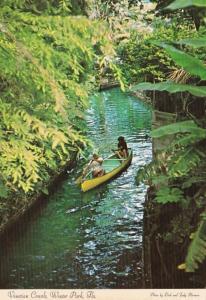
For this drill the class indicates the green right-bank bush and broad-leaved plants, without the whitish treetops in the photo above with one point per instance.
(177, 174)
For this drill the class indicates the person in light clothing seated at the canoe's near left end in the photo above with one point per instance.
(95, 166)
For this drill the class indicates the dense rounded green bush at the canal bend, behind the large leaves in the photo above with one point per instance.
(144, 59)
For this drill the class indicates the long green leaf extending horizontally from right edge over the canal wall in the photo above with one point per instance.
(172, 88)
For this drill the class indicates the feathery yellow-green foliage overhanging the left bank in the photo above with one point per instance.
(49, 62)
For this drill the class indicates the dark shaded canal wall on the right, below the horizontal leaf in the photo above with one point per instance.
(170, 225)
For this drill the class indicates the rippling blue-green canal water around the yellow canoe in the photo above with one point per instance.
(93, 239)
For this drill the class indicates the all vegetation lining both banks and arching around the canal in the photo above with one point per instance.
(54, 54)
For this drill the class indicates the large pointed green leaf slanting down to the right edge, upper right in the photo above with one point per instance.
(189, 63)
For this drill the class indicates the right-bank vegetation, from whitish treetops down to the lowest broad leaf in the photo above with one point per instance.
(167, 51)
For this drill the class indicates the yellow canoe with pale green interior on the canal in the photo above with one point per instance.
(113, 166)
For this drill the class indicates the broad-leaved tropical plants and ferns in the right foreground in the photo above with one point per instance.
(178, 172)
